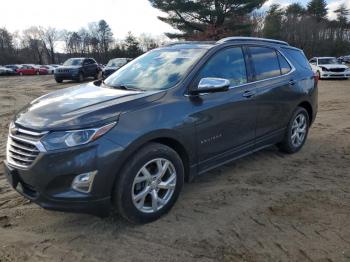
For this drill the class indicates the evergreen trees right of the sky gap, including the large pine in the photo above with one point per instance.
(308, 28)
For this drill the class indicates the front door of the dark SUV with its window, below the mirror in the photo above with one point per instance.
(225, 121)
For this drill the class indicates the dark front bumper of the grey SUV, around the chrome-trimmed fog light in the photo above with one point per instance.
(48, 180)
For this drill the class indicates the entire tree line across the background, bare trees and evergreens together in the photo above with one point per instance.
(307, 27)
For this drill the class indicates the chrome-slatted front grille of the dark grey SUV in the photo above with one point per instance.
(23, 147)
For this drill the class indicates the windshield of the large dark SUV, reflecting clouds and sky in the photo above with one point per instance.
(156, 70)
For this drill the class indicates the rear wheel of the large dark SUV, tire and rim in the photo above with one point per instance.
(297, 131)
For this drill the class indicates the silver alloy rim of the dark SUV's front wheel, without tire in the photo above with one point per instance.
(154, 185)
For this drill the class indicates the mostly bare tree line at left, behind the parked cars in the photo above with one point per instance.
(40, 45)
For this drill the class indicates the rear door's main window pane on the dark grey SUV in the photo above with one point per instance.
(265, 62)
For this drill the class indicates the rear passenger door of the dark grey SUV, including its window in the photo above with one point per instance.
(274, 82)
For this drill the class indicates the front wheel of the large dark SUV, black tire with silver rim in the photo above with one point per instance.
(127, 189)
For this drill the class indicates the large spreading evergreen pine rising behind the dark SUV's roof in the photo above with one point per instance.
(210, 19)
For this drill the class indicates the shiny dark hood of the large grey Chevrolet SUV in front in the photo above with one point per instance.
(82, 106)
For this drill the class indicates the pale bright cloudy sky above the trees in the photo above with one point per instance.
(137, 16)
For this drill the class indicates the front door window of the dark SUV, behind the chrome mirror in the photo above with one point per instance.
(228, 64)
